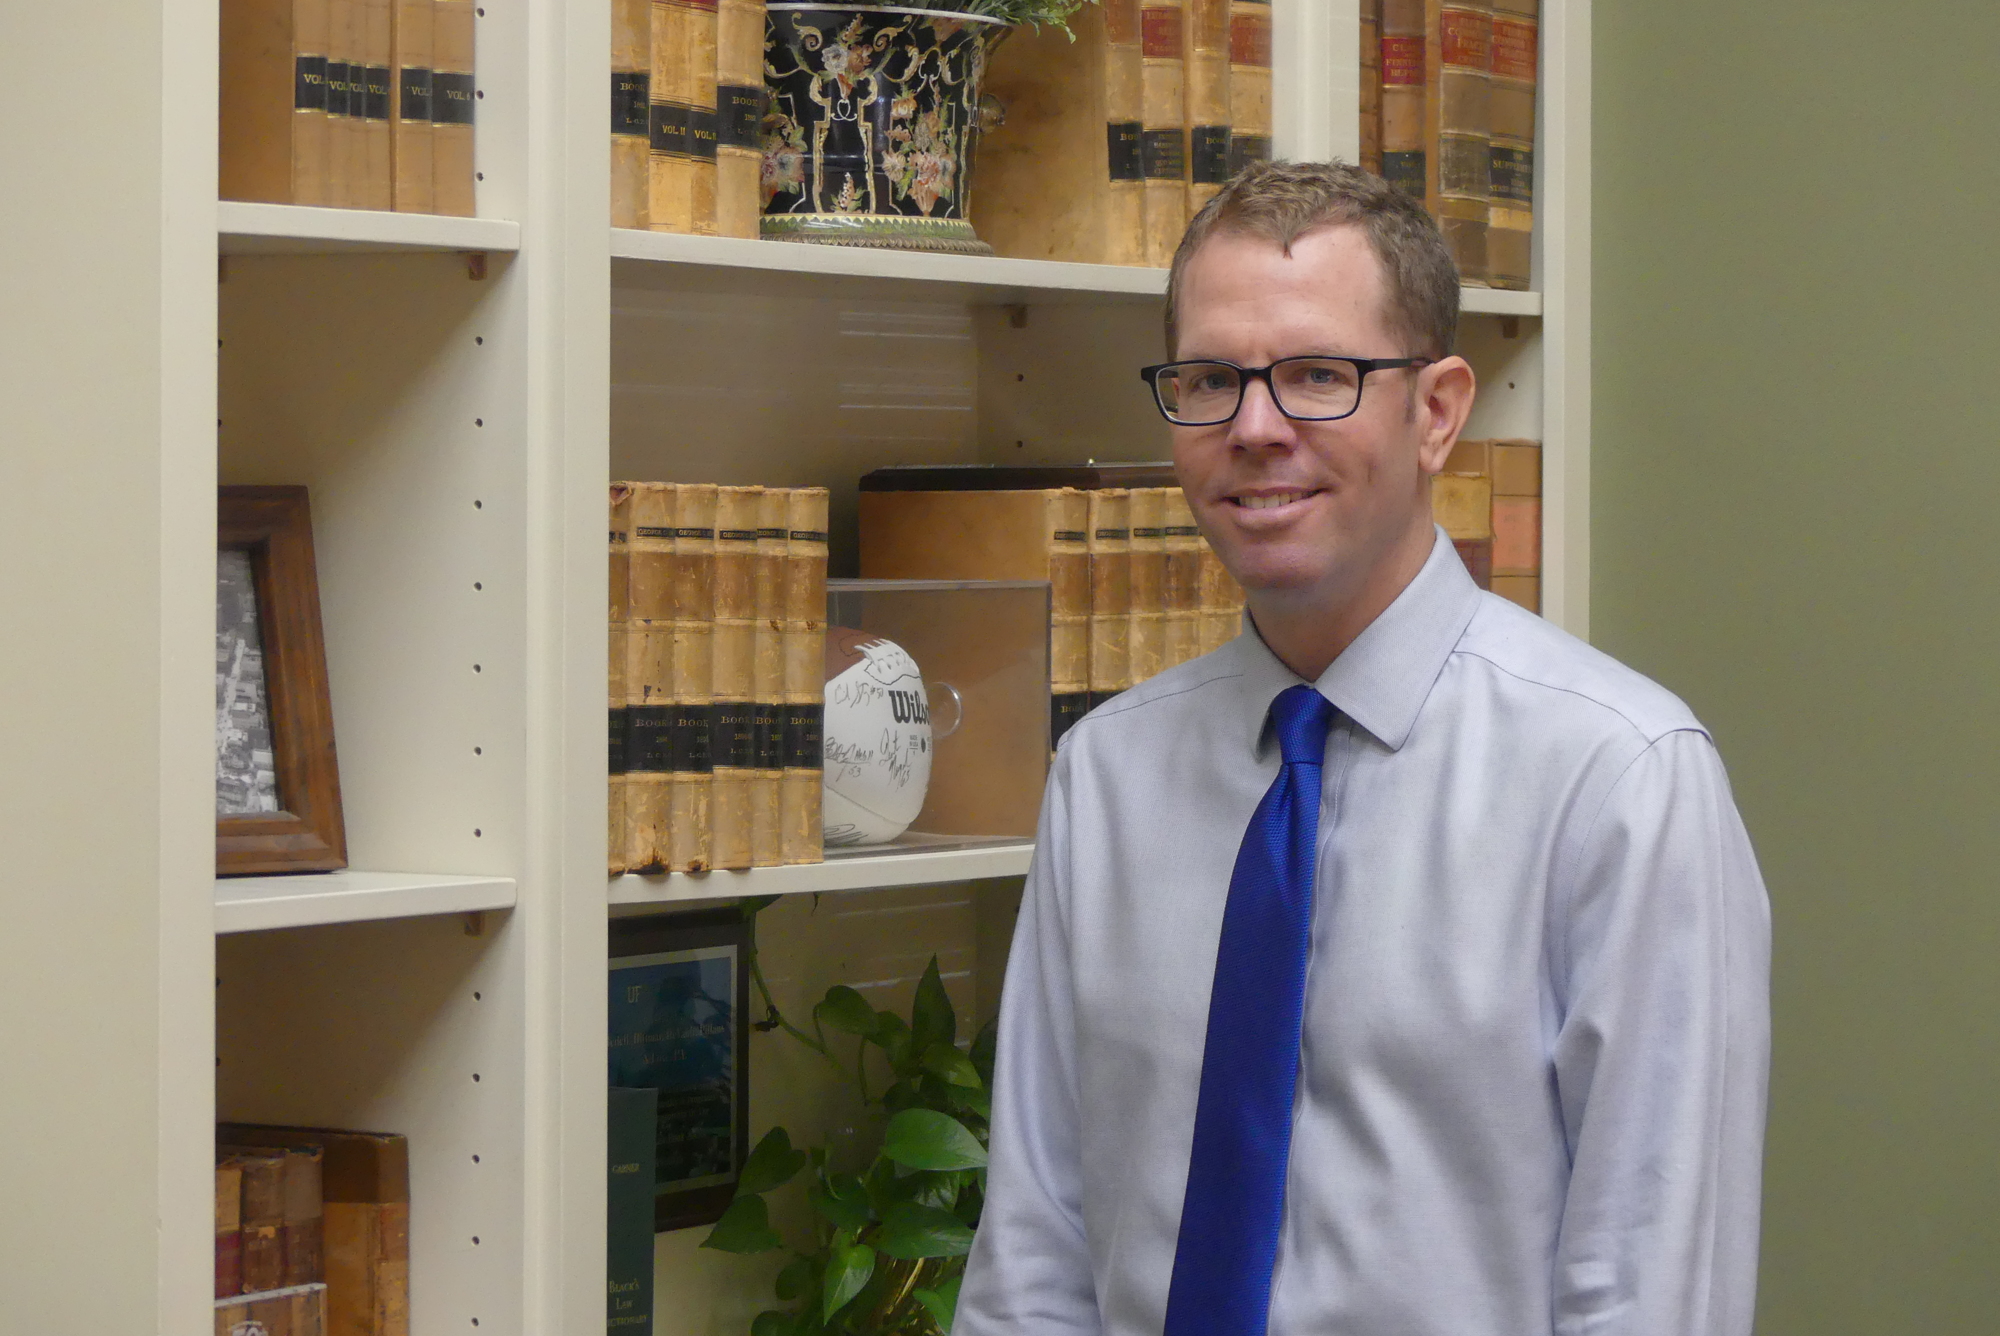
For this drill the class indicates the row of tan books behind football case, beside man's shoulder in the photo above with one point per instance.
(1135, 589)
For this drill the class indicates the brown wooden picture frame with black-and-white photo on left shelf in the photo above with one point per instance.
(285, 819)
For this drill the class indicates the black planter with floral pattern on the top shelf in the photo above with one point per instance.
(871, 127)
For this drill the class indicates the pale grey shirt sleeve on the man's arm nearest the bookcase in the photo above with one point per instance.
(1029, 1273)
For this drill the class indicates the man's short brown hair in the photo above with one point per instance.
(1285, 201)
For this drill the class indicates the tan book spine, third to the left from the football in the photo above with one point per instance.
(733, 713)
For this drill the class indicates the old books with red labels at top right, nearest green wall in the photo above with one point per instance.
(1447, 113)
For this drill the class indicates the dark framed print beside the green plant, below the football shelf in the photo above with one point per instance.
(679, 1025)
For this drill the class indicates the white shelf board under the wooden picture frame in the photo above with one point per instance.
(305, 901)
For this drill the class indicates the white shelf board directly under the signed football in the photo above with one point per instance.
(861, 871)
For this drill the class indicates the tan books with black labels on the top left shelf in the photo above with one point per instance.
(349, 103)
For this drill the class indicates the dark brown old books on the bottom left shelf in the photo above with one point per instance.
(313, 1233)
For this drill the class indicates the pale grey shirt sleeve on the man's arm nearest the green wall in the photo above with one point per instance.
(1663, 1055)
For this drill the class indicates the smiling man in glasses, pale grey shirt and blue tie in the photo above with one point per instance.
(1403, 967)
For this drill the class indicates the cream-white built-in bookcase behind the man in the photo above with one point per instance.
(457, 393)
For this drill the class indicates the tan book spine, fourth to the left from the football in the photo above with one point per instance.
(695, 631)
